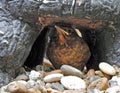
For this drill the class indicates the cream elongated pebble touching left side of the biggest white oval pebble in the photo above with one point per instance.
(53, 77)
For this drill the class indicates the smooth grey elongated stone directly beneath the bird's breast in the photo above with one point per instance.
(69, 70)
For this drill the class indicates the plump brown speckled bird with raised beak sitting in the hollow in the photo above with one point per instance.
(68, 47)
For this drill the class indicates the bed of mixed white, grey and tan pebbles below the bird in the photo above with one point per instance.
(67, 79)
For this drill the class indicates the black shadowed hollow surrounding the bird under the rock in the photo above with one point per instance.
(37, 52)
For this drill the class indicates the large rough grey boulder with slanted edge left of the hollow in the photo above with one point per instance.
(16, 39)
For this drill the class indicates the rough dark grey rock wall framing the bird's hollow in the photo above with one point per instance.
(18, 31)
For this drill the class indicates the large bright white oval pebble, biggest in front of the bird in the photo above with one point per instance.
(73, 82)
